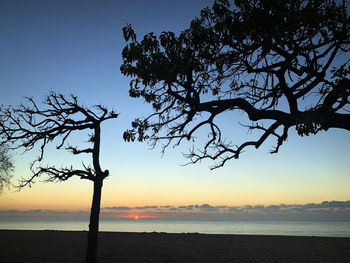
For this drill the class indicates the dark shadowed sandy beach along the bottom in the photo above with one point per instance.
(69, 246)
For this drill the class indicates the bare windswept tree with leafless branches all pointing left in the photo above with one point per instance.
(29, 126)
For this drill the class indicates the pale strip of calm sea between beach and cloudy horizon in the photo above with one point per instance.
(289, 228)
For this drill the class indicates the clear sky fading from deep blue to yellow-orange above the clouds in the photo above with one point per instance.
(74, 47)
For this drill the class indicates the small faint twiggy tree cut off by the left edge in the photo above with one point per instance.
(6, 168)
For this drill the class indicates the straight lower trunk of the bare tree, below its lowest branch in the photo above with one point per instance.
(91, 252)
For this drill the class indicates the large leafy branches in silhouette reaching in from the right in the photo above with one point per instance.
(282, 64)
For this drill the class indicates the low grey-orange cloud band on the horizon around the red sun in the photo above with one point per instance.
(325, 211)
